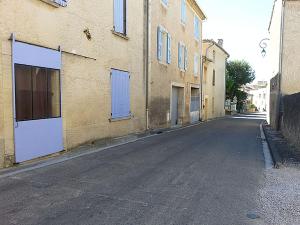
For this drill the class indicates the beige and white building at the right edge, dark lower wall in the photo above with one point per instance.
(284, 57)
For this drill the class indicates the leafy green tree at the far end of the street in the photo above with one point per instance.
(238, 73)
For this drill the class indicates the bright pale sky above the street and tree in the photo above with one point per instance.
(242, 24)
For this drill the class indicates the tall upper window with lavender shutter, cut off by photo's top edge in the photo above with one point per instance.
(120, 17)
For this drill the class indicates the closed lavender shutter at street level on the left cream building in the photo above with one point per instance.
(120, 94)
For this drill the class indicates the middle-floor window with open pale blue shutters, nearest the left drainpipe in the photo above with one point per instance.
(163, 45)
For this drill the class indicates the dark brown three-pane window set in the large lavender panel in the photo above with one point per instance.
(37, 93)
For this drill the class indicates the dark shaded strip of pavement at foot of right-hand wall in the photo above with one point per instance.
(282, 152)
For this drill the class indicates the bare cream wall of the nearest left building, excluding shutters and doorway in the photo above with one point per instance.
(86, 65)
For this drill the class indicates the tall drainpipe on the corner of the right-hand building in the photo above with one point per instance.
(279, 102)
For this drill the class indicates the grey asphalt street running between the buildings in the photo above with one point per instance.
(209, 174)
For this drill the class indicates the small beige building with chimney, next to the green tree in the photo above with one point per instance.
(214, 92)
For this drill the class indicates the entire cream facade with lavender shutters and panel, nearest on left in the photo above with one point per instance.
(70, 72)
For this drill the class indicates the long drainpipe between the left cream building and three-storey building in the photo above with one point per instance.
(146, 58)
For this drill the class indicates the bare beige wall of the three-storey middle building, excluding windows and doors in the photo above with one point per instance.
(163, 76)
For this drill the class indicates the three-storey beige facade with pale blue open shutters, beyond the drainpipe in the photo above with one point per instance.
(175, 55)
